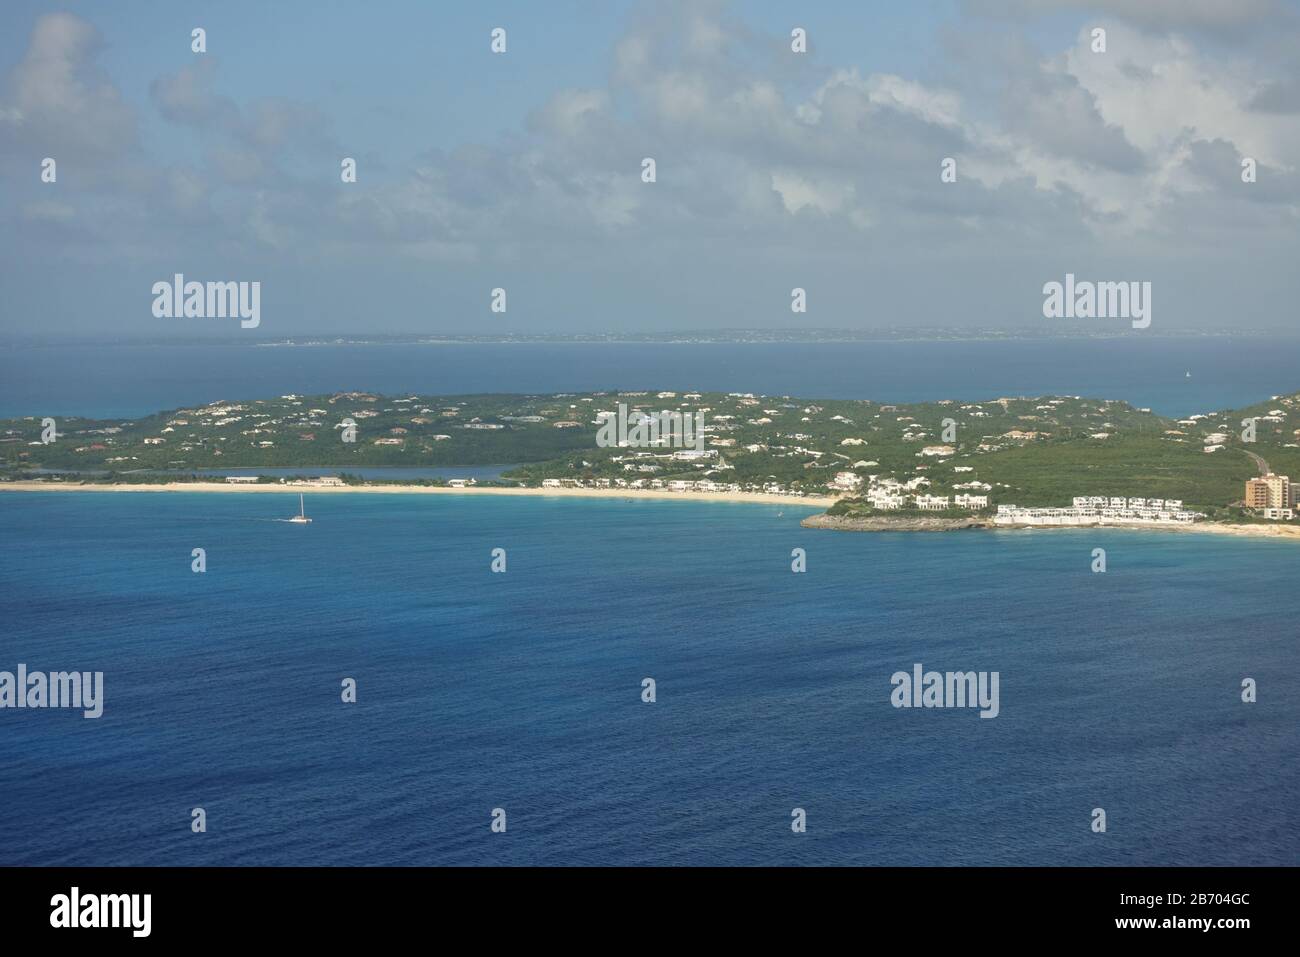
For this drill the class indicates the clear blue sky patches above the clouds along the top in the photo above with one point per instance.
(408, 75)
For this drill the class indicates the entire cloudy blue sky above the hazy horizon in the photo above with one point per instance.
(523, 171)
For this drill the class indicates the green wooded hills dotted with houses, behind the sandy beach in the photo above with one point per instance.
(1030, 452)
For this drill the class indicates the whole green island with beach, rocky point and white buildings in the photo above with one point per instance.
(1006, 462)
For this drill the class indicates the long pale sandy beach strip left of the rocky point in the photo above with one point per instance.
(648, 495)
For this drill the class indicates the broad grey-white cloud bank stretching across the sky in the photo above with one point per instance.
(1056, 149)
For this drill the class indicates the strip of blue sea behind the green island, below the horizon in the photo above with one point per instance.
(1147, 371)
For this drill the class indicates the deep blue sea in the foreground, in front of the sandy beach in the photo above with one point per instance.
(522, 691)
